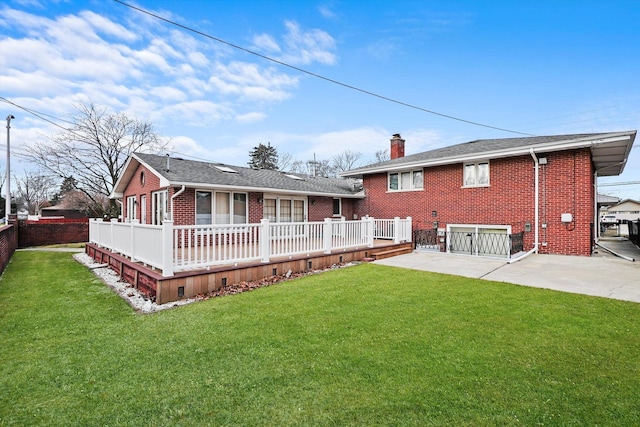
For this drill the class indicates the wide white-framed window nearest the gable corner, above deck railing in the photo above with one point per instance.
(221, 207)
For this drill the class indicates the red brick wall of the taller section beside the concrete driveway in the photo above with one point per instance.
(566, 186)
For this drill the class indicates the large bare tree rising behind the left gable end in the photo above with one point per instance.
(94, 151)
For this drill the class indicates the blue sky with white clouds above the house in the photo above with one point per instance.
(541, 68)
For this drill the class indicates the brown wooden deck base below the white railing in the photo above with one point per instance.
(188, 284)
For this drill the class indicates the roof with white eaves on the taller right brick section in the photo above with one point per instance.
(610, 151)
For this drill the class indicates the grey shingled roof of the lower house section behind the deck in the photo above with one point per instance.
(174, 171)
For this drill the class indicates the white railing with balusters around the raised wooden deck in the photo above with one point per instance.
(187, 247)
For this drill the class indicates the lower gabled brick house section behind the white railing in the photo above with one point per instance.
(154, 187)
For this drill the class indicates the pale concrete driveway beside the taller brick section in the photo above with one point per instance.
(602, 274)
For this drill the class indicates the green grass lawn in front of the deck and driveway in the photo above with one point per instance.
(365, 345)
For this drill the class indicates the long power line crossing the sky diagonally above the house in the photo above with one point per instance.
(301, 70)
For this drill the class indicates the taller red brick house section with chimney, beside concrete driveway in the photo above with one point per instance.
(477, 196)
